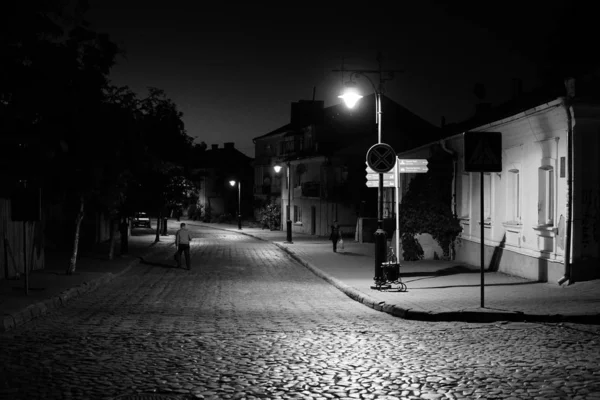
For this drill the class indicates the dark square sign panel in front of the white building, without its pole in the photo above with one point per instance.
(483, 151)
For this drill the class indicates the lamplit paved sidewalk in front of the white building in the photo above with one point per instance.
(437, 290)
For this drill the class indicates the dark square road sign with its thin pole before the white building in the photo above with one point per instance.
(483, 153)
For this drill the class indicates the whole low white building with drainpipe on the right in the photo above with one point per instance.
(526, 205)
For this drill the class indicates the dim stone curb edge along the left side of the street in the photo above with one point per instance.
(40, 308)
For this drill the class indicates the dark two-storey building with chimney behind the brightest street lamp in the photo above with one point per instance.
(325, 149)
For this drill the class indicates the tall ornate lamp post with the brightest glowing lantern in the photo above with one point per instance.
(351, 96)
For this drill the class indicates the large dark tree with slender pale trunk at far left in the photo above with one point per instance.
(54, 71)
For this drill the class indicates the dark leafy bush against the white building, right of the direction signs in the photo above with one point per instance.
(426, 208)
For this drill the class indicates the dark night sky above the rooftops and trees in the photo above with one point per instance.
(233, 70)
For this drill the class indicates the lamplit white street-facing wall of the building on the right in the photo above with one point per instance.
(532, 142)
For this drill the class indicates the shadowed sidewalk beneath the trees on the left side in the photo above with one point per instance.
(50, 288)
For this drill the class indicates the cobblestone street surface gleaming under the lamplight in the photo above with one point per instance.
(248, 322)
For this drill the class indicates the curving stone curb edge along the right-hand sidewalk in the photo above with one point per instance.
(456, 316)
